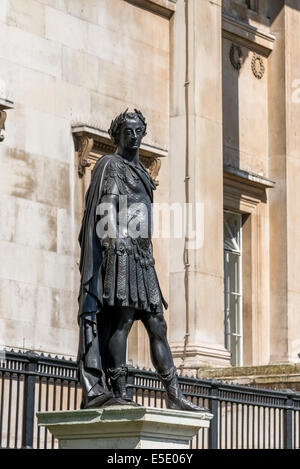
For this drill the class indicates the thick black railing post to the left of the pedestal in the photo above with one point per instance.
(29, 401)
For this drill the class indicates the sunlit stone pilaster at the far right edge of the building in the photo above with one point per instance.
(284, 114)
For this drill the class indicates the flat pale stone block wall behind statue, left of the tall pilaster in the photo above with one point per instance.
(64, 62)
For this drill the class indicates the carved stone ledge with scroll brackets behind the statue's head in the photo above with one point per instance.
(92, 143)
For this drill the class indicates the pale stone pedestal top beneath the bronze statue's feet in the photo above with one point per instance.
(124, 427)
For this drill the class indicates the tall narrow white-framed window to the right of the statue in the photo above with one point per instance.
(233, 286)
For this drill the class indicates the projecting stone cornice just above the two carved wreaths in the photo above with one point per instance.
(247, 35)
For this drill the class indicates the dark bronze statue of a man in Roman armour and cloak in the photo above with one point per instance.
(118, 279)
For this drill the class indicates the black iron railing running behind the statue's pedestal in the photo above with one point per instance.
(244, 417)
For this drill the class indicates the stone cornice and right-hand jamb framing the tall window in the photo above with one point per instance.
(247, 193)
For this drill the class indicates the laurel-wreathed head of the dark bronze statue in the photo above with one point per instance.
(128, 129)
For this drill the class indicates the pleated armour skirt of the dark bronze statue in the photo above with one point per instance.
(129, 276)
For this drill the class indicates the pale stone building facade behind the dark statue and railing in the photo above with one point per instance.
(219, 83)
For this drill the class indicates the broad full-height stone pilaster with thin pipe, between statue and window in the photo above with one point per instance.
(196, 177)
